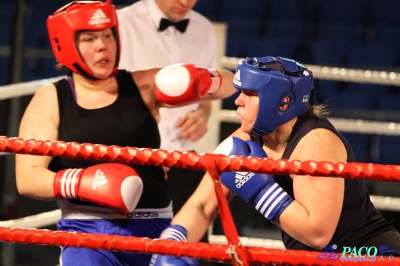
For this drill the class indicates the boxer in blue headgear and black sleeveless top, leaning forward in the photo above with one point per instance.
(279, 120)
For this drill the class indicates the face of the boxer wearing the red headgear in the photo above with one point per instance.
(98, 50)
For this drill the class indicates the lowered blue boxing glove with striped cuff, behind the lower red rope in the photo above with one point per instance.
(173, 232)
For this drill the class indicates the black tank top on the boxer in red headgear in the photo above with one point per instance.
(126, 122)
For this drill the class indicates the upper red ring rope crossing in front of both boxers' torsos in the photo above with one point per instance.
(147, 156)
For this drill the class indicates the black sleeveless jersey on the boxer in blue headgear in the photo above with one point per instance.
(357, 206)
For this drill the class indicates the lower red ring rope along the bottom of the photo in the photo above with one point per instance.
(211, 252)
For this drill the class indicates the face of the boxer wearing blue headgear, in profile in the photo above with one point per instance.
(247, 103)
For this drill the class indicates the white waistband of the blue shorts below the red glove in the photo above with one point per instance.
(75, 211)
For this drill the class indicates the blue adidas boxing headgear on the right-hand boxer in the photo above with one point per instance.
(275, 78)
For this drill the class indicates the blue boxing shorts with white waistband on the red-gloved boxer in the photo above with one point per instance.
(144, 223)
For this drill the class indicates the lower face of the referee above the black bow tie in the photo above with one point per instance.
(175, 9)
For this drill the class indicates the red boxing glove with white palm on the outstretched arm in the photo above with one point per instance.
(182, 84)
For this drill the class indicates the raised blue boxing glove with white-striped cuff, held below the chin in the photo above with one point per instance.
(259, 189)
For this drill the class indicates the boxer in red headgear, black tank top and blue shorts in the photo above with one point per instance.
(101, 104)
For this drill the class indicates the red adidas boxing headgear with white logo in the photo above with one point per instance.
(77, 16)
